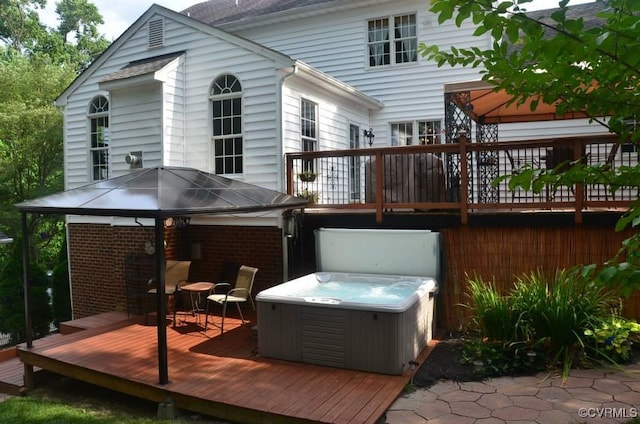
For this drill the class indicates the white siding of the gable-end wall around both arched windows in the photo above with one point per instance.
(159, 115)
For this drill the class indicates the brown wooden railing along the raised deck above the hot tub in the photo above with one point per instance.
(456, 176)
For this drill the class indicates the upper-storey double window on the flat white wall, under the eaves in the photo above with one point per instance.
(392, 40)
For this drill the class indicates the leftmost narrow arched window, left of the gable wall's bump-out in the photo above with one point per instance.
(99, 138)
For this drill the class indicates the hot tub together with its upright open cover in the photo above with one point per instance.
(356, 328)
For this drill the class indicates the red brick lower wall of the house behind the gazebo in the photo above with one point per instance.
(98, 252)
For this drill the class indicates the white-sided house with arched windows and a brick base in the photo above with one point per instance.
(229, 87)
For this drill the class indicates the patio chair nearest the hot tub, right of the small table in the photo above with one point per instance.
(240, 293)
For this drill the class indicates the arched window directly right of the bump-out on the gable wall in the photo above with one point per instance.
(226, 107)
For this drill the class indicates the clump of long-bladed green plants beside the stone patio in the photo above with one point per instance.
(539, 318)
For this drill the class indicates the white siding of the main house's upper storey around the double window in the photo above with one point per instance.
(337, 44)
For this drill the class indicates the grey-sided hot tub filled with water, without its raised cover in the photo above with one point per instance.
(369, 322)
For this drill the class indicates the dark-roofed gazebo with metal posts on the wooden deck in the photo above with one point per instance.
(156, 193)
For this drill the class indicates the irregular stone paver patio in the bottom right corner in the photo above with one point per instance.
(599, 396)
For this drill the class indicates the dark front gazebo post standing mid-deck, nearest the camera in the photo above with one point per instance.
(163, 364)
